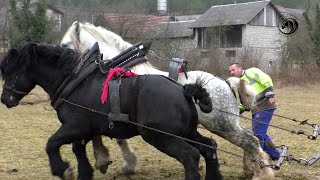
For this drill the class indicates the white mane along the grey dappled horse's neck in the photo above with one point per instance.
(106, 36)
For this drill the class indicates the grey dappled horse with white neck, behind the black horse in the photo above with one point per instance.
(222, 121)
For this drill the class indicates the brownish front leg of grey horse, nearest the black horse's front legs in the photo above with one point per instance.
(101, 154)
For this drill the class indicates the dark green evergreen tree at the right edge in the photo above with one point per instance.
(314, 33)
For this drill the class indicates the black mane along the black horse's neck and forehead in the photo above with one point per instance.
(26, 55)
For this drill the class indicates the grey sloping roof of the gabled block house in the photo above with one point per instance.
(231, 14)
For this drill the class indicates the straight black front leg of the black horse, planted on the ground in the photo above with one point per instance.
(85, 170)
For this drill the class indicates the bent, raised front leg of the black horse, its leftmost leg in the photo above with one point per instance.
(58, 166)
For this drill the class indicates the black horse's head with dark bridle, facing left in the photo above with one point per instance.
(17, 83)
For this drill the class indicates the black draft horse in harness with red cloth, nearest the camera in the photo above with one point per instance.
(151, 101)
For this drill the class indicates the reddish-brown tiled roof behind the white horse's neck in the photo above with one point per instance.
(135, 24)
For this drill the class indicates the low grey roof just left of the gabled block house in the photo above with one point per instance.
(173, 29)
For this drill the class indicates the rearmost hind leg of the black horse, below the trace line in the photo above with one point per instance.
(209, 153)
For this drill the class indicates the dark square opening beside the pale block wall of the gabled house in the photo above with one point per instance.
(231, 37)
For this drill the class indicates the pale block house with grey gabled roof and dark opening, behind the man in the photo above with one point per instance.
(242, 32)
